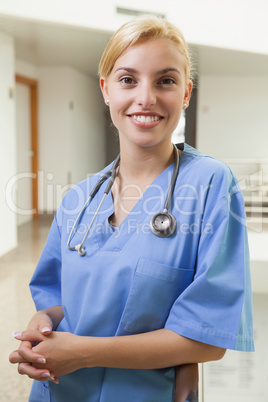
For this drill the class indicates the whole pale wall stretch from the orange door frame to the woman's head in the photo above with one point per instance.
(71, 132)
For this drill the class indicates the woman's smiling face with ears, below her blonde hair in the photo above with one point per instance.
(147, 90)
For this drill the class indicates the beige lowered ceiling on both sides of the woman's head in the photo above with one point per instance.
(55, 44)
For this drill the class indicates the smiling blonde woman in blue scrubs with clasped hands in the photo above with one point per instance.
(132, 317)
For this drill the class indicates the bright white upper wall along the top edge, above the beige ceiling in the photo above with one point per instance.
(240, 24)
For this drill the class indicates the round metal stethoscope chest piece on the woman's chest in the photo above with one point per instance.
(163, 224)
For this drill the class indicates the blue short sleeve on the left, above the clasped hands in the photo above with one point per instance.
(45, 284)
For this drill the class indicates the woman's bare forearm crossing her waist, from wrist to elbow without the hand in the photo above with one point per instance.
(157, 349)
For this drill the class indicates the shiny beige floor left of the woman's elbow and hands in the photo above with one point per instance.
(16, 306)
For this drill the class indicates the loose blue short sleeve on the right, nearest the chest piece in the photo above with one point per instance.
(217, 306)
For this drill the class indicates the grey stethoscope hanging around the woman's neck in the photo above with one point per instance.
(163, 224)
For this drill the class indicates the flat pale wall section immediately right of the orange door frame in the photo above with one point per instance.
(54, 132)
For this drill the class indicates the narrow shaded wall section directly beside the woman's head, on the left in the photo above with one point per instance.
(87, 141)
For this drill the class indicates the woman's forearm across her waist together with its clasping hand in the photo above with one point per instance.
(65, 352)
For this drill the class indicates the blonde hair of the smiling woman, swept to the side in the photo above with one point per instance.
(142, 27)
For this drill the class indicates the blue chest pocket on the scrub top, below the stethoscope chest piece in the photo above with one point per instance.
(155, 287)
